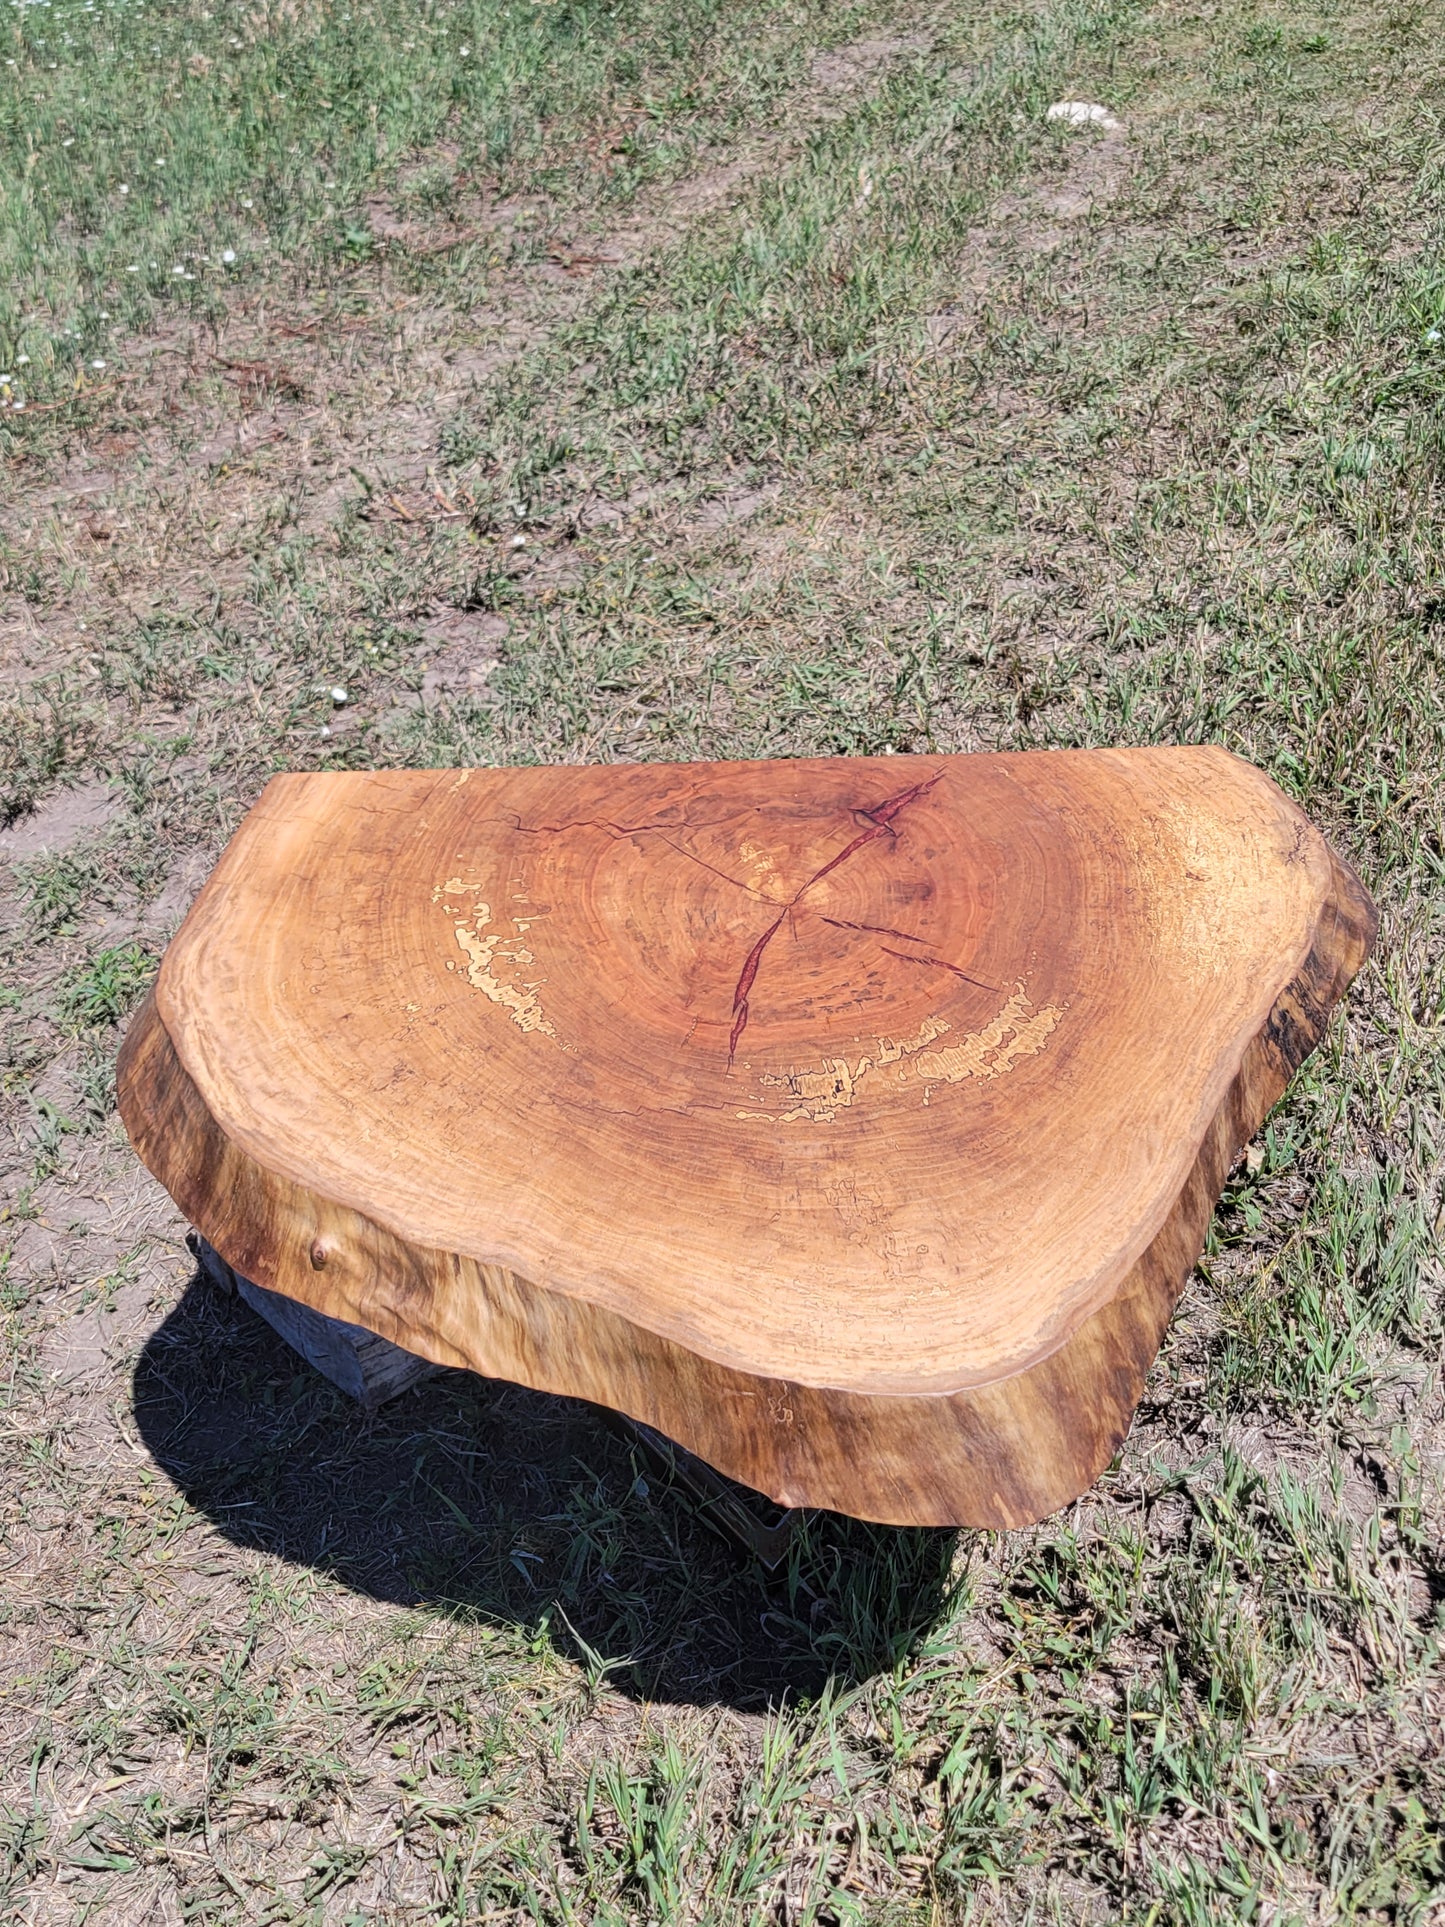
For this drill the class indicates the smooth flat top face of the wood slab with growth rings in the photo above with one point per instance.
(868, 1074)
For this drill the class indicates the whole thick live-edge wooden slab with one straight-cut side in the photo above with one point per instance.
(851, 1122)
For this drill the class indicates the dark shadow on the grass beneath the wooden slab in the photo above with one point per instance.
(515, 1506)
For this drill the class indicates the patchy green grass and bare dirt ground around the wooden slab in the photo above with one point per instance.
(664, 381)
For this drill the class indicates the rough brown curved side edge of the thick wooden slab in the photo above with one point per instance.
(997, 1456)
